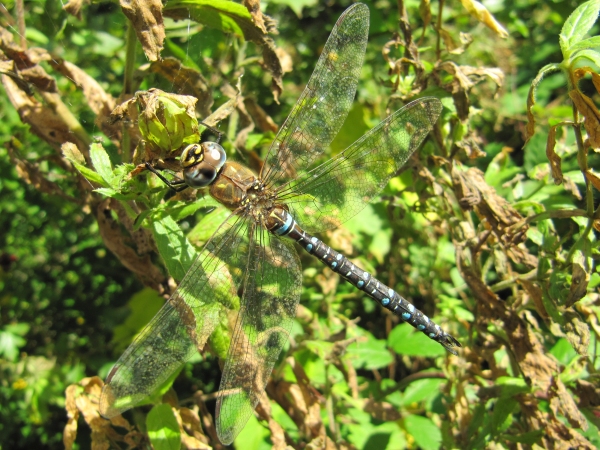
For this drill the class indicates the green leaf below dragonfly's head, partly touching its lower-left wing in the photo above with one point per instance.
(175, 249)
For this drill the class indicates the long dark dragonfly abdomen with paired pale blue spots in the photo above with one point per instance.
(283, 224)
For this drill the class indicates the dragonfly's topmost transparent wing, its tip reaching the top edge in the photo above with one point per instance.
(323, 106)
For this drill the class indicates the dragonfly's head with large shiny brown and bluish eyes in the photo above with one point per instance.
(201, 163)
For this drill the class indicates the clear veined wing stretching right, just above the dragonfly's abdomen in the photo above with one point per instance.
(338, 189)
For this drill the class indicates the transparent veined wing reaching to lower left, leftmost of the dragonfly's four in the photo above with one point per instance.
(181, 327)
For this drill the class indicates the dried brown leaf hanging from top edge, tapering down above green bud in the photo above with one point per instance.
(147, 20)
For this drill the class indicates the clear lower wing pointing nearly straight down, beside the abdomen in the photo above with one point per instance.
(271, 295)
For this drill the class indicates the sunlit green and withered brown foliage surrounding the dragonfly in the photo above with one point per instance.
(492, 231)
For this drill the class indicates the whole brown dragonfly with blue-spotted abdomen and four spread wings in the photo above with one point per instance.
(298, 191)
